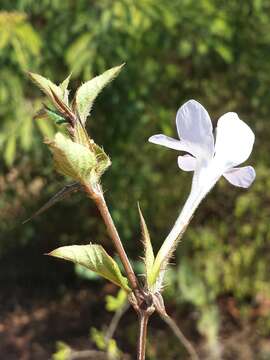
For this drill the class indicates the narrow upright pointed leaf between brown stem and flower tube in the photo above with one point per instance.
(149, 256)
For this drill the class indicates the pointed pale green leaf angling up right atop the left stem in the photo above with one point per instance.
(87, 92)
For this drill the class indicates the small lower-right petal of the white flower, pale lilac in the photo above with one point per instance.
(241, 177)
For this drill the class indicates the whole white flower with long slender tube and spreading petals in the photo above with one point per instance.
(209, 158)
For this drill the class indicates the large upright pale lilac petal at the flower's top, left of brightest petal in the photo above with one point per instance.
(194, 126)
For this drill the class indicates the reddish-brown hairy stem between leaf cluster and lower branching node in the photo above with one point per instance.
(97, 196)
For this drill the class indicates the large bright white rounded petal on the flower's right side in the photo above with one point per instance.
(234, 140)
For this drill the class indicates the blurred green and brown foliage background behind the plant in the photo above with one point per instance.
(218, 289)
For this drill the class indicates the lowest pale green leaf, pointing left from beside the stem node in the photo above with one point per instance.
(95, 258)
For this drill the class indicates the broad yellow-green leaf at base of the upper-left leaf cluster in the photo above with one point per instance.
(72, 159)
